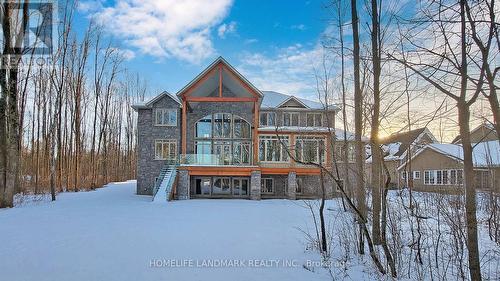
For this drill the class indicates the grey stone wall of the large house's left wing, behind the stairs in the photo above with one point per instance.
(147, 167)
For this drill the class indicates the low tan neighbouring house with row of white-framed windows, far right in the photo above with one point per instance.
(439, 167)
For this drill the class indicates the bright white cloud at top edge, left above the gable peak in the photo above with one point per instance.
(167, 28)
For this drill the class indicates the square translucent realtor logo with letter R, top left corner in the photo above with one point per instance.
(32, 31)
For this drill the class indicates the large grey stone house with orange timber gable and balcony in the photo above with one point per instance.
(221, 137)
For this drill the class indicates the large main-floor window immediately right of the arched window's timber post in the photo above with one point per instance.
(273, 149)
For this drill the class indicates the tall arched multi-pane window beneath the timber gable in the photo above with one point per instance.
(226, 135)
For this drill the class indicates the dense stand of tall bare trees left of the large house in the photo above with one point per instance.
(66, 124)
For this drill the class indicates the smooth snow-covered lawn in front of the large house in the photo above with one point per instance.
(113, 234)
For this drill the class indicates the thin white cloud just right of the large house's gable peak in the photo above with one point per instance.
(291, 70)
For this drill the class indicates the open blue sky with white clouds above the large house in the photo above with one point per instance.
(273, 43)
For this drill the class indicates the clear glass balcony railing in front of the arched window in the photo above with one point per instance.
(211, 160)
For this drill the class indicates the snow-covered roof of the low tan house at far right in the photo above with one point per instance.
(484, 154)
